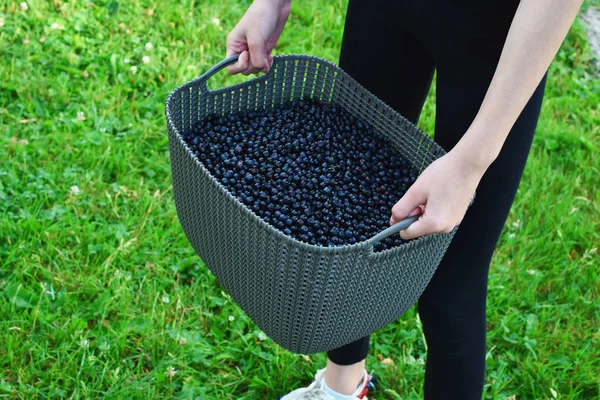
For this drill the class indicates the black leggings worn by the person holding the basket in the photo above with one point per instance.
(392, 48)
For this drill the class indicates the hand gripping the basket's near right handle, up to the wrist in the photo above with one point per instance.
(441, 193)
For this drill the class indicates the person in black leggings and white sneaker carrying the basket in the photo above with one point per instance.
(491, 59)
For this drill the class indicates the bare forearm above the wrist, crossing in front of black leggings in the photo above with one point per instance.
(535, 35)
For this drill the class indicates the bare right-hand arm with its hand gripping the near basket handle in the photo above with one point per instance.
(445, 188)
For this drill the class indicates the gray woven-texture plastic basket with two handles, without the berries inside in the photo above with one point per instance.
(307, 298)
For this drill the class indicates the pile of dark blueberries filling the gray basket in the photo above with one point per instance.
(307, 168)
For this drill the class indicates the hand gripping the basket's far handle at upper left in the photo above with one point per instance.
(255, 36)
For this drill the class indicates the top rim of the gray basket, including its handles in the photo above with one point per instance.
(363, 245)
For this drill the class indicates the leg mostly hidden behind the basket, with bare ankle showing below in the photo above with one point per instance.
(373, 53)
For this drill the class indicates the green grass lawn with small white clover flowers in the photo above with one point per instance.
(100, 292)
